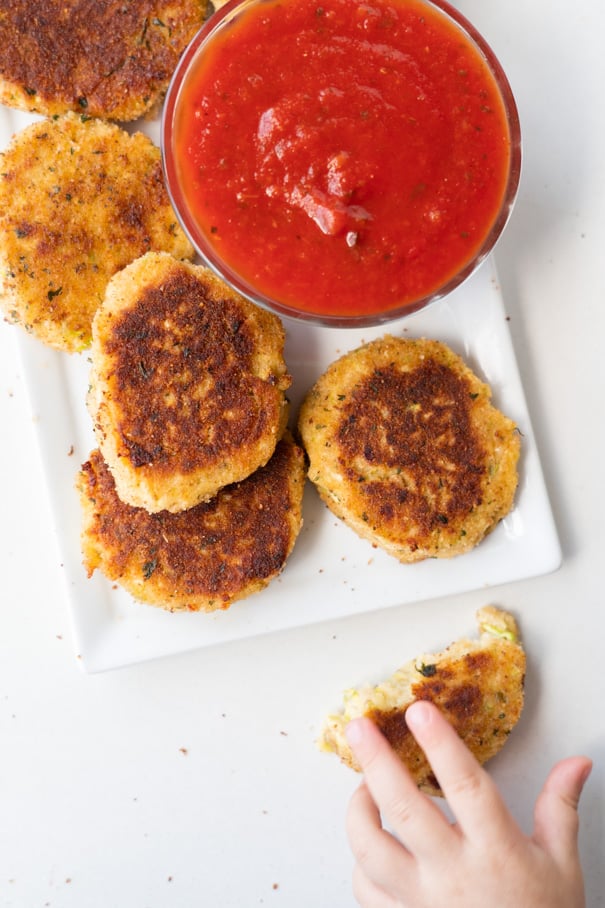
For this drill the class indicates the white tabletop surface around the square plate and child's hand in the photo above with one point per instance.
(194, 779)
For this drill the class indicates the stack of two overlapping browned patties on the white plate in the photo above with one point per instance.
(194, 498)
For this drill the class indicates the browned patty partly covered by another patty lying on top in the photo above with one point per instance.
(203, 559)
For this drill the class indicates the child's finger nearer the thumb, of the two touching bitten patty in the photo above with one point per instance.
(468, 789)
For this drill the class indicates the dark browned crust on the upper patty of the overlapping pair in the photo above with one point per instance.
(206, 341)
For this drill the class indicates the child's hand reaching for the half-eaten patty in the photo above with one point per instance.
(484, 858)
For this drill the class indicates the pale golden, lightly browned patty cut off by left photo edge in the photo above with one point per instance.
(79, 199)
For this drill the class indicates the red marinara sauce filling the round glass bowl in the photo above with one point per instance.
(341, 158)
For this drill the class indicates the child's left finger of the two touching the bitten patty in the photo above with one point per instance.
(417, 822)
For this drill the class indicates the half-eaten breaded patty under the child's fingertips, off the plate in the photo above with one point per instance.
(477, 685)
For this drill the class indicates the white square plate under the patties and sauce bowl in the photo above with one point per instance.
(331, 573)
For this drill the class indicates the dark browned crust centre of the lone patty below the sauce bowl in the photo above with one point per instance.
(442, 456)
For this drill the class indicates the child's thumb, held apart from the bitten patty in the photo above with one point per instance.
(556, 820)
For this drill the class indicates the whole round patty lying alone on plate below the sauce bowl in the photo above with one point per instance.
(405, 446)
